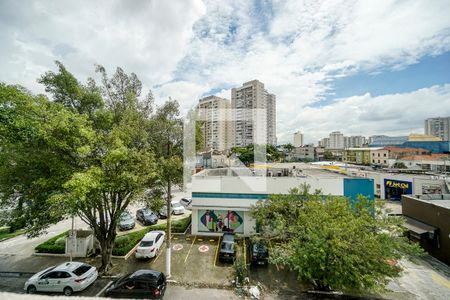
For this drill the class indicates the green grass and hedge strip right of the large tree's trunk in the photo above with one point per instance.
(126, 242)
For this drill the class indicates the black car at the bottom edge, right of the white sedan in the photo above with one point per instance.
(142, 284)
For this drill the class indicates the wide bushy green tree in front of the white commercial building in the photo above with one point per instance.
(331, 243)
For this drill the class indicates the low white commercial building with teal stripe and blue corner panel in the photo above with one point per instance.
(222, 198)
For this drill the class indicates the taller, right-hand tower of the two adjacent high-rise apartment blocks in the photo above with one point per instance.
(254, 114)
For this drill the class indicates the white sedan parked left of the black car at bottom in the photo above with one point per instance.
(68, 277)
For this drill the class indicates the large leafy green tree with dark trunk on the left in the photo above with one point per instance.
(87, 153)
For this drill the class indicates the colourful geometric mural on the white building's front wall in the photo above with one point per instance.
(220, 221)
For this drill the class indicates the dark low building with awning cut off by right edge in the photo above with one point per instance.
(428, 223)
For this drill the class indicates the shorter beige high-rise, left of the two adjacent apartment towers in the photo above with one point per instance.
(214, 112)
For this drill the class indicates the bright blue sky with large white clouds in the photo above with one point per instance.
(361, 67)
